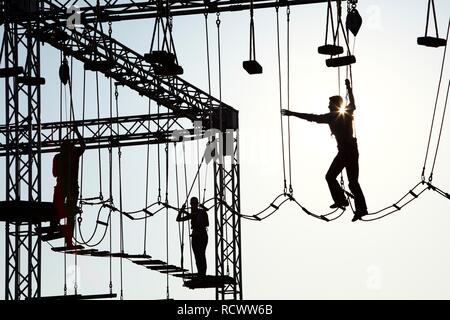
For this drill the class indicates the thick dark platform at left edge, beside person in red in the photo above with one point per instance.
(26, 211)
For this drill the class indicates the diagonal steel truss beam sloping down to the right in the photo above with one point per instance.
(129, 68)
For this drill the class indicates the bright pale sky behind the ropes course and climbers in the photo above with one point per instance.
(290, 255)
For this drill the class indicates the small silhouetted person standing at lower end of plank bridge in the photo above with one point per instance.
(199, 225)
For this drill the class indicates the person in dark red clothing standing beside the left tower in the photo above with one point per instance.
(66, 191)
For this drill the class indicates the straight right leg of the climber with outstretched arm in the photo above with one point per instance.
(352, 168)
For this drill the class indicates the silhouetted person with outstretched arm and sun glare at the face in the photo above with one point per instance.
(340, 120)
